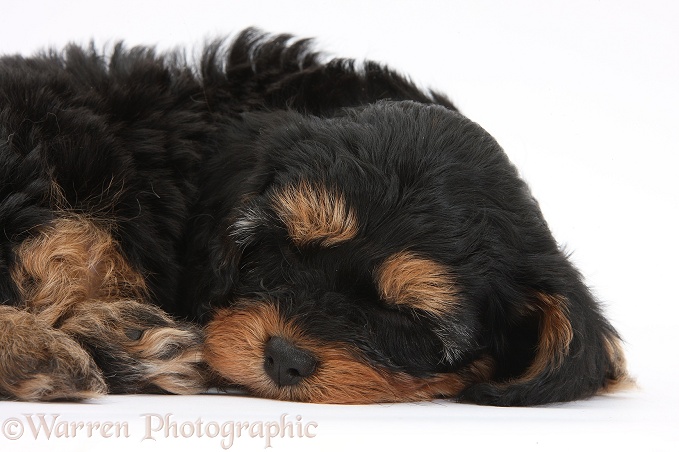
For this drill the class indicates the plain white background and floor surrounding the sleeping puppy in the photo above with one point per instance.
(582, 95)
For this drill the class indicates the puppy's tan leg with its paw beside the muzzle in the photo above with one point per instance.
(74, 277)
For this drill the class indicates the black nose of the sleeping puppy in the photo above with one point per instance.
(287, 364)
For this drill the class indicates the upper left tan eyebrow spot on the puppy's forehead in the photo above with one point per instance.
(315, 214)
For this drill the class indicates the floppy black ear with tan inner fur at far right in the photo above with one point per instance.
(577, 354)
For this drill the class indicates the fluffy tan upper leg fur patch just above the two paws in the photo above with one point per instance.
(71, 261)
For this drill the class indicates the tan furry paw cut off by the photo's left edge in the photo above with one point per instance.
(38, 362)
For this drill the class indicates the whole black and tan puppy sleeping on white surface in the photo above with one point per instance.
(343, 236)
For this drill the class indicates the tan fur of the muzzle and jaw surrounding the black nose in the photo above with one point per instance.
(235, 343)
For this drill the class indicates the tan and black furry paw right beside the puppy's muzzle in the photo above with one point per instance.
(139, 347)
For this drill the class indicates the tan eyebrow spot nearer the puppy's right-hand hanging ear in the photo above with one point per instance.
(406, 279)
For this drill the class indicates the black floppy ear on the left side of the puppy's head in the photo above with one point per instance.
(237, 168)
